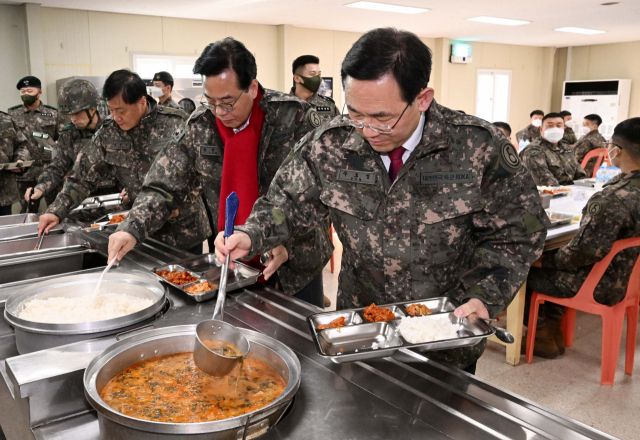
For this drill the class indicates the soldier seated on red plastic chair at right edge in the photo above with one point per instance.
(610, 215)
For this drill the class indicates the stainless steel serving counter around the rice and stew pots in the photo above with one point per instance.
(42, 397)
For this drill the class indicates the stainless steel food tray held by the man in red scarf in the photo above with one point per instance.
(206, 267)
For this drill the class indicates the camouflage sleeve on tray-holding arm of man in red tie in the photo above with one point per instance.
(510, 232)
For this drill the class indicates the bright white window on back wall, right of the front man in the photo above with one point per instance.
(493, 95)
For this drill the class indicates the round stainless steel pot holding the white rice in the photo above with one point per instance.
(34, 336)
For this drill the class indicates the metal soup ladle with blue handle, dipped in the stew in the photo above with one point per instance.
(206, 359)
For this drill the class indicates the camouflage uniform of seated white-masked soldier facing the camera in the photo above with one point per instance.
(551, 166)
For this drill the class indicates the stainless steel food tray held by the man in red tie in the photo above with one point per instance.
(360, 340)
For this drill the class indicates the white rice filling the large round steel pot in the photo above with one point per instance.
(65, 310)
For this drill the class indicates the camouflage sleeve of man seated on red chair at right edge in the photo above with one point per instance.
(602, 220)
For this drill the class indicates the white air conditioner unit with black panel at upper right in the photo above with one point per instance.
(608, 98)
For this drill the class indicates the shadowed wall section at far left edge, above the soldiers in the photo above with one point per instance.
(13, 50)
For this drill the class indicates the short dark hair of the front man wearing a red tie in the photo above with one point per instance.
(388, 50)
